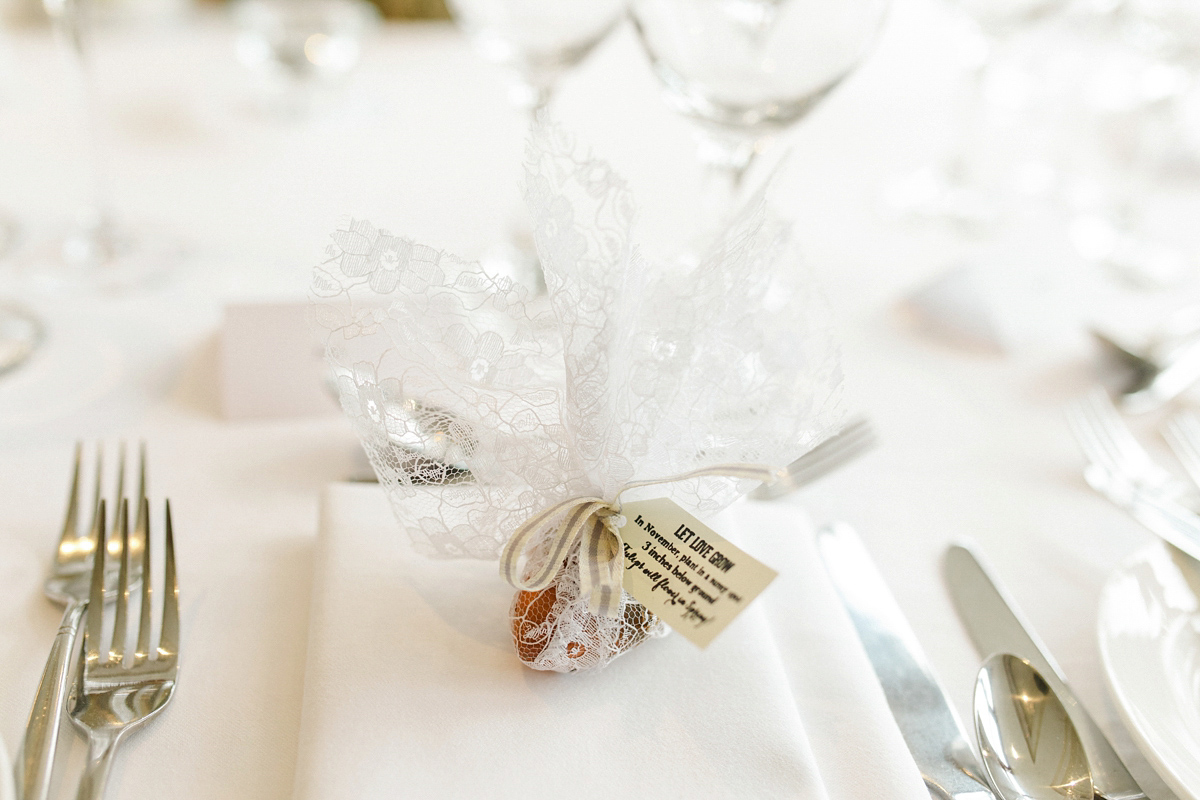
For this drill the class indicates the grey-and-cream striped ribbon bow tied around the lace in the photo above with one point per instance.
(599, 522)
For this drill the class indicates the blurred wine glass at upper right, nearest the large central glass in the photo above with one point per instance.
(952, 191)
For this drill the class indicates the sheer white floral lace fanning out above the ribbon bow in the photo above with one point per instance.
(481, 406)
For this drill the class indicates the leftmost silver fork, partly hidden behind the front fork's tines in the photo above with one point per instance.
(67, 586)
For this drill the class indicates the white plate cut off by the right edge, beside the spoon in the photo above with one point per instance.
(1150, 647)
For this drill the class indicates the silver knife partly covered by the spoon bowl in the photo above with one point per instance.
(995, 625)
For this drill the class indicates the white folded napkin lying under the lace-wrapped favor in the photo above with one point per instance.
(413, 690)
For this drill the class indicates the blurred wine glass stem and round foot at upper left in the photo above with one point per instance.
(98, 252)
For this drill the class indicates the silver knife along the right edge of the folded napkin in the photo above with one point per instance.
(929, 726)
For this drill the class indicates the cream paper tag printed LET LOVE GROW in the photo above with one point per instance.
(695, 580)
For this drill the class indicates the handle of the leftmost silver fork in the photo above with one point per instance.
(35, 763)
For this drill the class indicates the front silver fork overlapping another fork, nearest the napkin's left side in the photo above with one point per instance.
(116, 694)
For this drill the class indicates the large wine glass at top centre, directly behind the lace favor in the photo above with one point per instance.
(747, 70)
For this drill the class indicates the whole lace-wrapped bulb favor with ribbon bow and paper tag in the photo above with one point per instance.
(527, 429)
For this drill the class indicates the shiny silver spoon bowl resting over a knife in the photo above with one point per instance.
(1030, 748)
